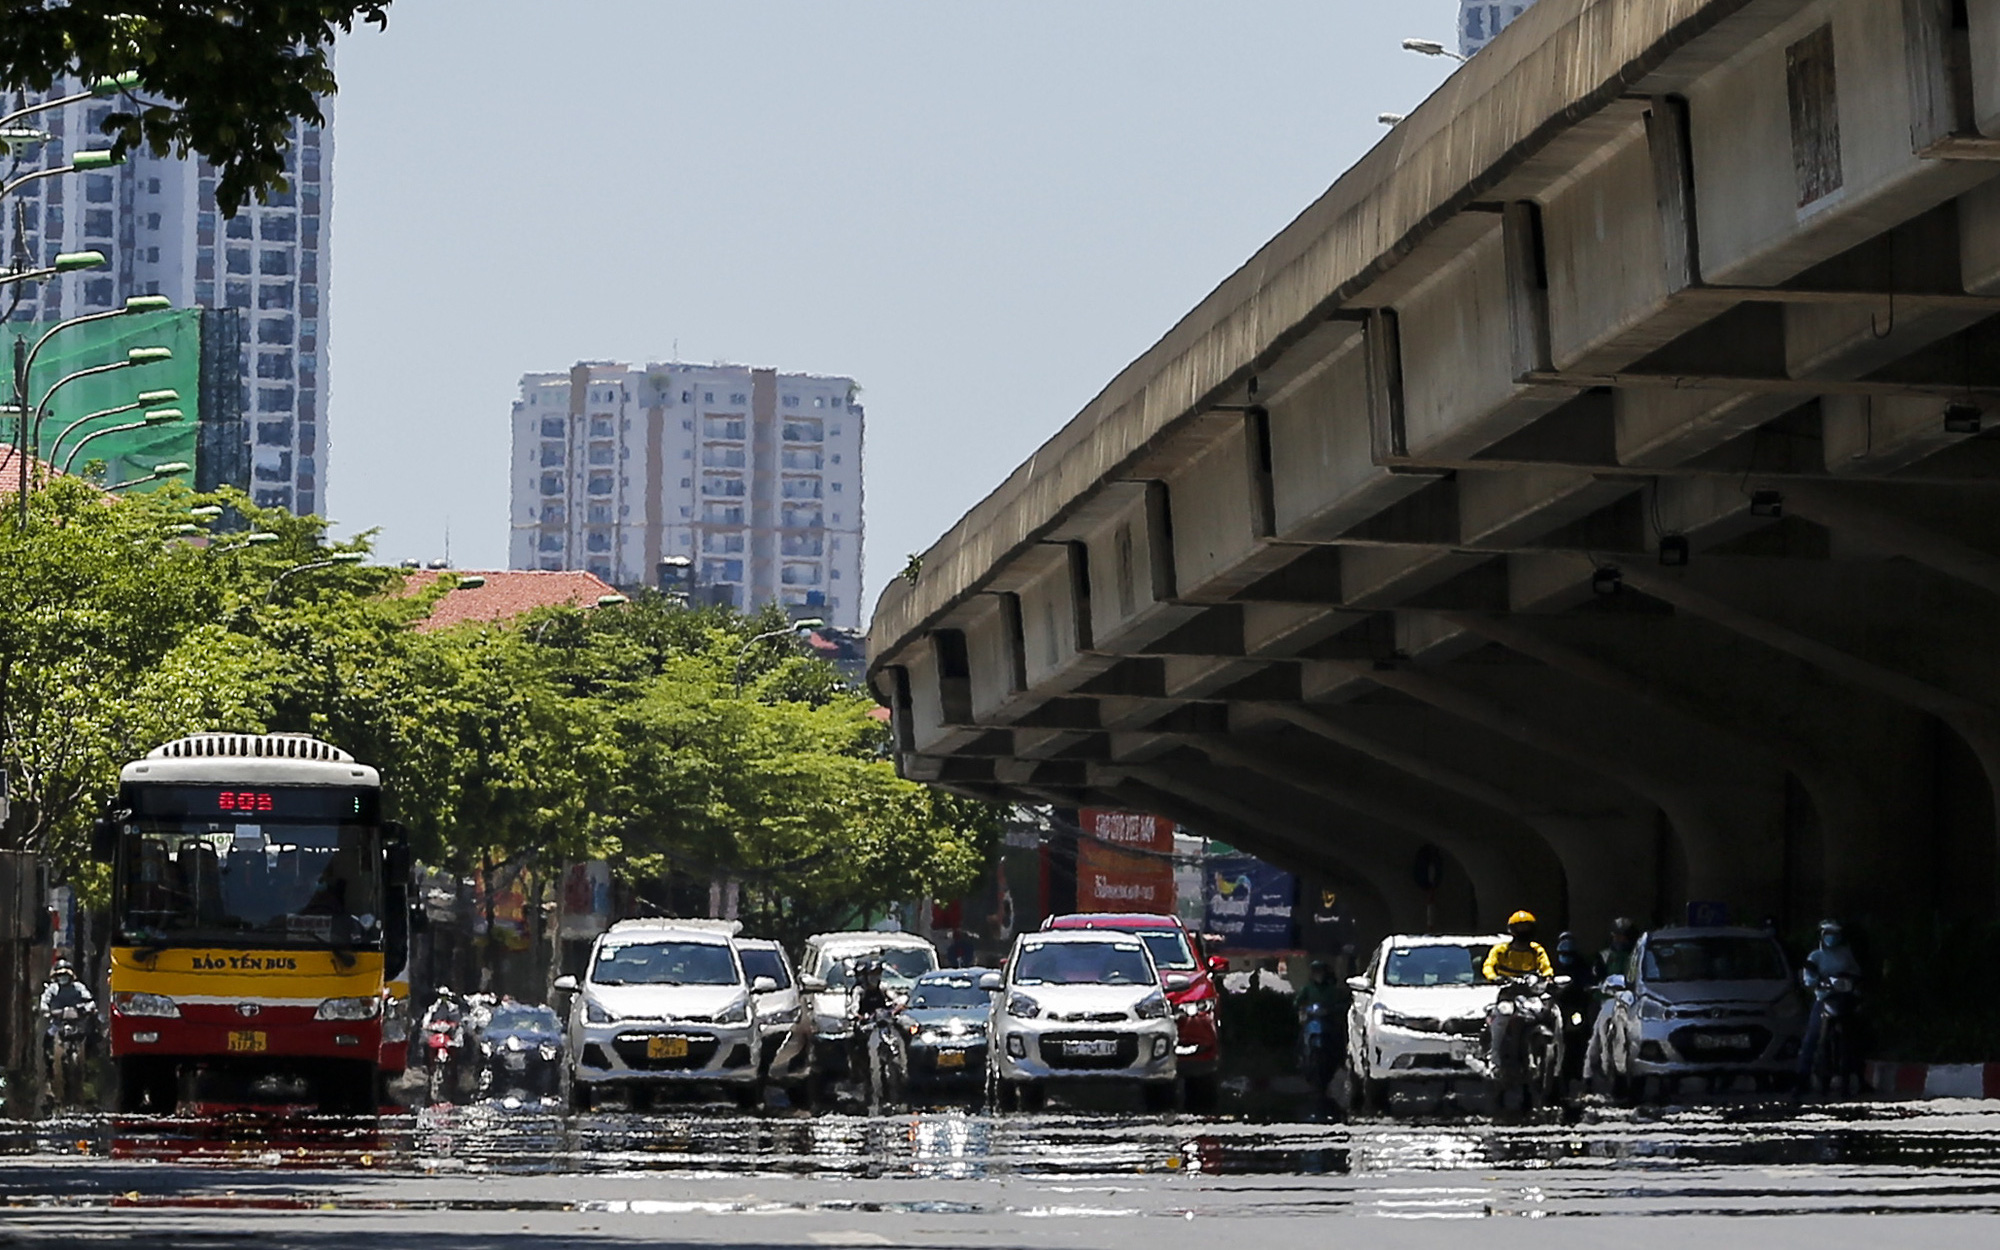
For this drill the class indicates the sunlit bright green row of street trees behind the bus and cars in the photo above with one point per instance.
(651, 735)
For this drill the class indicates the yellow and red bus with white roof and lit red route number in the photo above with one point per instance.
(251, 925)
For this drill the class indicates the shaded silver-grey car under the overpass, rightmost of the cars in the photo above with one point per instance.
(1713, 1003)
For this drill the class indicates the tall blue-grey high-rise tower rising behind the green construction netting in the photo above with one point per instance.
(157, 223)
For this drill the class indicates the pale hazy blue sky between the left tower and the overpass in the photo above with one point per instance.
(979, 211)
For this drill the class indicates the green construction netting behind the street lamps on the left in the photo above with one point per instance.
(129, 455)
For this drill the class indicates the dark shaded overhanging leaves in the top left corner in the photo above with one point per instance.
(223, 81)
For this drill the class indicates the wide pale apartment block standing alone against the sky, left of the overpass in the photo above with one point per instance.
(745, 481)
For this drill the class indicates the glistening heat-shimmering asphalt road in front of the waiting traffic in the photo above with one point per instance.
(477, 1179)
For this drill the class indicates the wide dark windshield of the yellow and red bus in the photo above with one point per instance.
(269, 885)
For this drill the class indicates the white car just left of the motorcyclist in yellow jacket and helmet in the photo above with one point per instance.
(1419, 1013)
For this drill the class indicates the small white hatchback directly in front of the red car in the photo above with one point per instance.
(1081, 1007)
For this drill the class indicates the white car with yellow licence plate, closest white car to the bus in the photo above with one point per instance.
(665, 1003)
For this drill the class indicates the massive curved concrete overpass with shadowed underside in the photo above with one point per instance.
(1599, 483)
